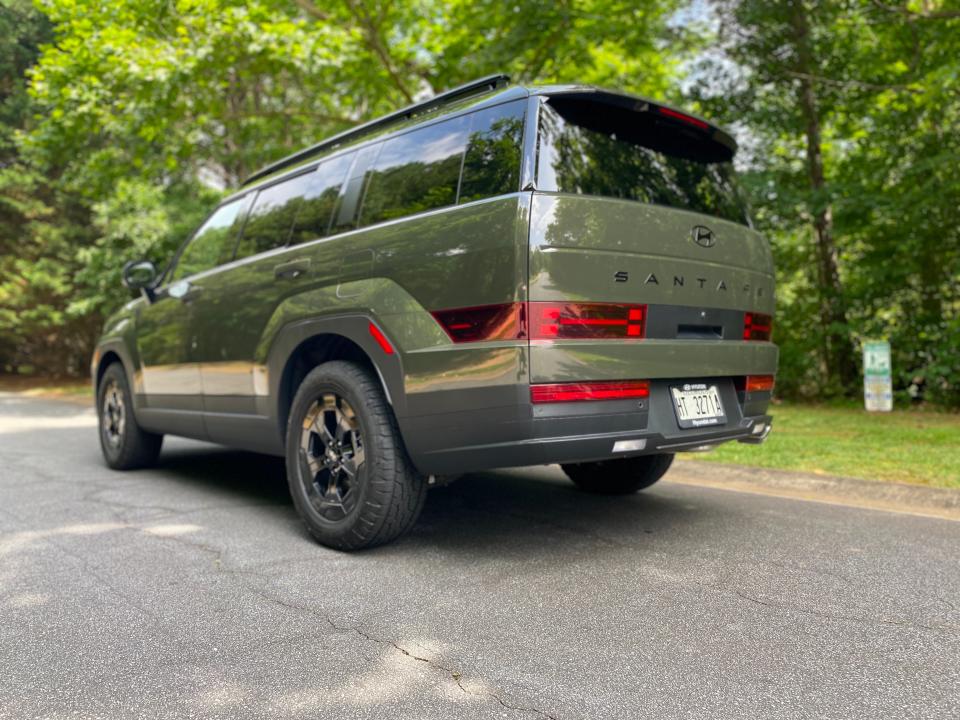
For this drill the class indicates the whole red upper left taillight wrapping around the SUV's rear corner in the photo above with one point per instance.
(544, 321)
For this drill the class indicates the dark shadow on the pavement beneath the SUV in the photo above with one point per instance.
(529, 510)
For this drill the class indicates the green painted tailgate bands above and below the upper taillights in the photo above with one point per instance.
(579, 244)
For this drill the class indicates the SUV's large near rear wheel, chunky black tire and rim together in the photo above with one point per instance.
(346, 503)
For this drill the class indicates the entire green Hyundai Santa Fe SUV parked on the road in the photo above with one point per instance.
(499, 276)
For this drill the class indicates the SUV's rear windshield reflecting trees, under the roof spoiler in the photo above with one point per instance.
(588, 147)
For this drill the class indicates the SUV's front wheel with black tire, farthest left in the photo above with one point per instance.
(125, 445)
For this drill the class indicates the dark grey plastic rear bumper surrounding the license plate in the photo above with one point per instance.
(524, 434)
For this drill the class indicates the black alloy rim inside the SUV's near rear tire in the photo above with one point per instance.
(331, 456)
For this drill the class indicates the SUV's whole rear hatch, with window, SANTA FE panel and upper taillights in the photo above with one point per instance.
(636, 206)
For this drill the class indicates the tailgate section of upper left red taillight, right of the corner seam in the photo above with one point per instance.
(586, 321)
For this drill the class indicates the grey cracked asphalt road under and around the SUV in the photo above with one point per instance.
(191, 590)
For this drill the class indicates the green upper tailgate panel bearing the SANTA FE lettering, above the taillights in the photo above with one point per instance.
(578, 243)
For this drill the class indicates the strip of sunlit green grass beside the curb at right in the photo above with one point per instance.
(903, 446)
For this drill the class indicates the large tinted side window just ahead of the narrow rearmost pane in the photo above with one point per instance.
(415, 172)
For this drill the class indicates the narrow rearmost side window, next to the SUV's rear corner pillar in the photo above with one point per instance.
(492, 164)
